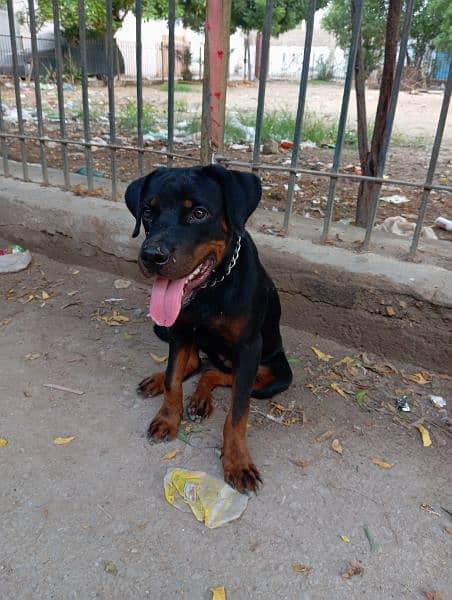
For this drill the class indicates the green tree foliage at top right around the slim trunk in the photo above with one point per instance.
(431, 28)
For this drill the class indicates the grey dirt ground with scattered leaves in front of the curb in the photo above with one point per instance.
(67, 510)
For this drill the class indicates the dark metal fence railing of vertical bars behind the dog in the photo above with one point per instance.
(170, 58)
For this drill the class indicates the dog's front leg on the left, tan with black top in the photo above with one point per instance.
(165, 424)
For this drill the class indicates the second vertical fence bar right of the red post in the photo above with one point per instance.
(300, 110)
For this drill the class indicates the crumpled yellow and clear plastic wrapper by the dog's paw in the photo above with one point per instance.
(211, 500)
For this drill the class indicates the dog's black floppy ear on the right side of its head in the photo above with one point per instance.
(241, 191)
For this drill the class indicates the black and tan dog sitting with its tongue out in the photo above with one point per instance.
(210, 293)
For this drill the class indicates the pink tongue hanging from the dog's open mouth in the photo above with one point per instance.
(166, 300)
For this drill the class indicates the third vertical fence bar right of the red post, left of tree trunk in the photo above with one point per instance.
(356, 26)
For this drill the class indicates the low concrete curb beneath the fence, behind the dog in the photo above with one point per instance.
(378, 303)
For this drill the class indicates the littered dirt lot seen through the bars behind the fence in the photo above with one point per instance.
(416, 118)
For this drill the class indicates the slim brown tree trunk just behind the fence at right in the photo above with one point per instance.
(367, 189)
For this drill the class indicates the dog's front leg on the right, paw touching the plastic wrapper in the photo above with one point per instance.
(239, 470)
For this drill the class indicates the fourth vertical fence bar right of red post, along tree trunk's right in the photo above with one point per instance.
(390, 120)
